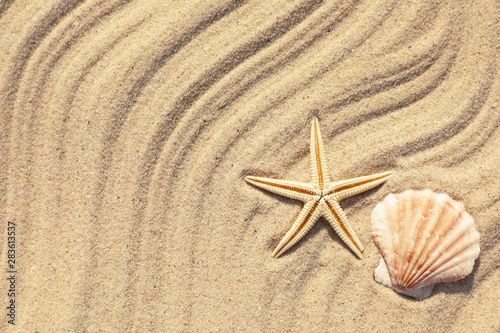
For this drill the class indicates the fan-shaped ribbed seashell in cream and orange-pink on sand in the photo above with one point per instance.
(424, 238)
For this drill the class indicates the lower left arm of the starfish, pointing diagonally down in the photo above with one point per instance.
(304, 222)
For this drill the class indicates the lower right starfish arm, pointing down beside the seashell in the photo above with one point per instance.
(335, 215)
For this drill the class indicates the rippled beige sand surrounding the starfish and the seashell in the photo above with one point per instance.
(127, 129)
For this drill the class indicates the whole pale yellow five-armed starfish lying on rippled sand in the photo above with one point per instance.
(321, 197)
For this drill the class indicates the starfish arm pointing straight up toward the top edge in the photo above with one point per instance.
(319, 169)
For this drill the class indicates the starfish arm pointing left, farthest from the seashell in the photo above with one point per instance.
(293, 190)
